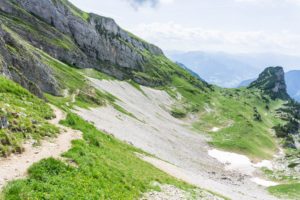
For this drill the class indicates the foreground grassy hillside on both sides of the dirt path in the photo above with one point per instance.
(97, 166)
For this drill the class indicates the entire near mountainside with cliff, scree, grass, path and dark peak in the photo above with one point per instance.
(102, 114)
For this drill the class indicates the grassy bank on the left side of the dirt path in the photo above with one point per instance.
(26, 115)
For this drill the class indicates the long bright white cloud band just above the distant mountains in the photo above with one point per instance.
(174, 36)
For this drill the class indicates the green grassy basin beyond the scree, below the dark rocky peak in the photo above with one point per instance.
(231, 110)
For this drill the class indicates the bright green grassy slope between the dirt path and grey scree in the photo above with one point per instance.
(105, 169)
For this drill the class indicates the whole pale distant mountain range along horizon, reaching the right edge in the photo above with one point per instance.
(229, 70)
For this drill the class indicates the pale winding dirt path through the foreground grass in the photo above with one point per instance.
(16, 166)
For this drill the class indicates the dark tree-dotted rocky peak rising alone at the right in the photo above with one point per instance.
(272, 82)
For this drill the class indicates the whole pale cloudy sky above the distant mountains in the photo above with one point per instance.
(232, 26)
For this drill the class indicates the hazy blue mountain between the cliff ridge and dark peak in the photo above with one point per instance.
(216, 68)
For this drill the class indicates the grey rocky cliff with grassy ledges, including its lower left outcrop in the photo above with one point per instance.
(30, 28)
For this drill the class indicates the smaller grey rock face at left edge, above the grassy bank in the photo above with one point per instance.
(25, 68)
